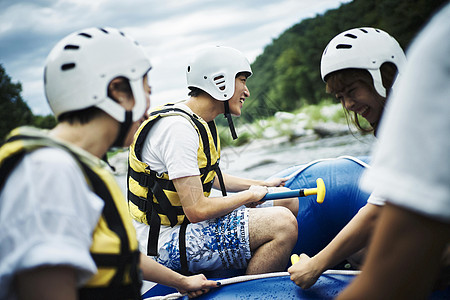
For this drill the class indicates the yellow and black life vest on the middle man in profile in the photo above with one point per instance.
(152, 197)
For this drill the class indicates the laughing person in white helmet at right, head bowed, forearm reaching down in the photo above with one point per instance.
(360, 67)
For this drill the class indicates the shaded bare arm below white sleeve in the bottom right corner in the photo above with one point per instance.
(403, 258)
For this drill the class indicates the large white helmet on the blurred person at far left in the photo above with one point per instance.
(81, 66)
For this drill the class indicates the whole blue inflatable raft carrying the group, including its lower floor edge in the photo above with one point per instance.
(318, 224)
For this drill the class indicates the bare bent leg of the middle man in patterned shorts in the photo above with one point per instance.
(273, 233)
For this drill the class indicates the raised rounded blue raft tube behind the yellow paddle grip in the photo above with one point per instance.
(318, 224)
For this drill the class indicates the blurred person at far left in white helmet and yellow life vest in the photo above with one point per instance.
(65, 230)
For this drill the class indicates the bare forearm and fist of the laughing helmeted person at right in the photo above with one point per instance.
(352, 238)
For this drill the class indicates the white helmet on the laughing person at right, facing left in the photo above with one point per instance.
(362, 48)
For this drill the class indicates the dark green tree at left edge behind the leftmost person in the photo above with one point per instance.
(13, 110)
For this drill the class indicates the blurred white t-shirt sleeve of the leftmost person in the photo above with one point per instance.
(47, 216)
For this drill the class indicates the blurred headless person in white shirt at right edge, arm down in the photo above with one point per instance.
(411, 170)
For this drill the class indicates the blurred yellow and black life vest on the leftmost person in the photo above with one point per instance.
(114, 245)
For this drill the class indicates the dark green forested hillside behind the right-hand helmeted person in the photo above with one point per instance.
(287, 74)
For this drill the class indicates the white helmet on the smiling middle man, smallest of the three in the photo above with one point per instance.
(214, 70)
